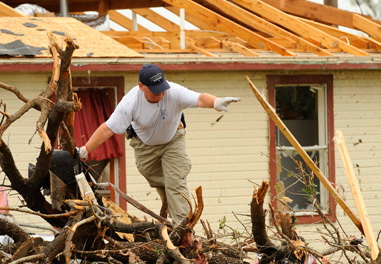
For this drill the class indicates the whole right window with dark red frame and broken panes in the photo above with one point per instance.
(305, 105)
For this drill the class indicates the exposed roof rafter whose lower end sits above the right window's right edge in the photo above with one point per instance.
(264, 26)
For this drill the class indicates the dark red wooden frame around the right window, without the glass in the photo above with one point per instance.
(327, 80)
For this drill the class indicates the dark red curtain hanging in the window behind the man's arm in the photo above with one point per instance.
(95, 110)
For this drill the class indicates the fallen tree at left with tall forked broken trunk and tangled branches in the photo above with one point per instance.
(85, 218)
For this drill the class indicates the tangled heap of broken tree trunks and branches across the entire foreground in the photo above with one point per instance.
(89, 229)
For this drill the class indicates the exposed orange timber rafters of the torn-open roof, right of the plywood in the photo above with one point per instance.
(257, 28)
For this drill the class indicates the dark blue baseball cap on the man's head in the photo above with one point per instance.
(153, 77)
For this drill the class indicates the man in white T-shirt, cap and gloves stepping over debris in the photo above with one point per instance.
(154, 109)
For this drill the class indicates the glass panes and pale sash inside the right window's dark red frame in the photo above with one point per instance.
(298, 107)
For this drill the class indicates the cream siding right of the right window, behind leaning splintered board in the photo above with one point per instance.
(357, 98)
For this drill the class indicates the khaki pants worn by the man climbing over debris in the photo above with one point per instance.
(166, 168)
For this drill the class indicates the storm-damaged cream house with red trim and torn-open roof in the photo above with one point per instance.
(319, 78)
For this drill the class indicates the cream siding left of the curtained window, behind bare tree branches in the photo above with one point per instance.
(18, 135)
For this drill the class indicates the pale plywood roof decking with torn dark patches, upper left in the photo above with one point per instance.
(31, 32)
